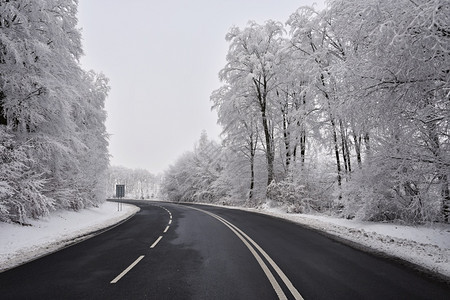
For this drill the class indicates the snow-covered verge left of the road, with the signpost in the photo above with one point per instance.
(20, 244)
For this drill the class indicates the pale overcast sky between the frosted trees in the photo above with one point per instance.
(162, 59)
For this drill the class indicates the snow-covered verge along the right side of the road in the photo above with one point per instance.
(426, 246)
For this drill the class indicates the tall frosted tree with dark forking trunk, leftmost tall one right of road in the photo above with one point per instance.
(252, 59)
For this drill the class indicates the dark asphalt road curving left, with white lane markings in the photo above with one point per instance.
(171, 251)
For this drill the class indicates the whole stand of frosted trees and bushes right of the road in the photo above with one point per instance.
(342, 111)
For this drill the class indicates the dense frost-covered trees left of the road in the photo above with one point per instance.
(53, 141)
